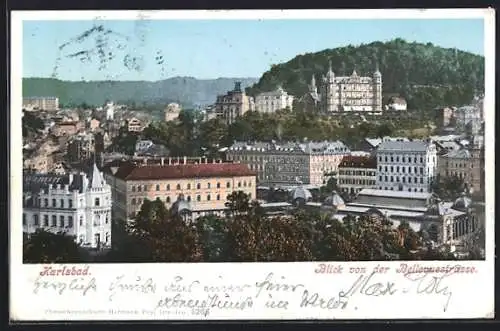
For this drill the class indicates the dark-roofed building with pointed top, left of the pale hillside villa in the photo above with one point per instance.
(233, 104)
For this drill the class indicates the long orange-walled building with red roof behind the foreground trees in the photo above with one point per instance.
(203, 188)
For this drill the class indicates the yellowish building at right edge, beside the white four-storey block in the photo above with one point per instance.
(466, 164)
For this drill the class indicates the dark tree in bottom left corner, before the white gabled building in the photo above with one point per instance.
(47, 247)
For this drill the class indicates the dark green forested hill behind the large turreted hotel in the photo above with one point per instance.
(425, 74)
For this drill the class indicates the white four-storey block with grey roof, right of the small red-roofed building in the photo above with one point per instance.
(406, 165)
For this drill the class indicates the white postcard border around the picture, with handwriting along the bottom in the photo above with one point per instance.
(473, 294)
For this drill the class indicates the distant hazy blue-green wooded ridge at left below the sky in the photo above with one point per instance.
(186, 90)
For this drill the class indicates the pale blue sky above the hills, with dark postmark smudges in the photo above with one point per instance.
(224, 48)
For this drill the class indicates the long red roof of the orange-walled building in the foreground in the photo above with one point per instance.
(205, 170)
